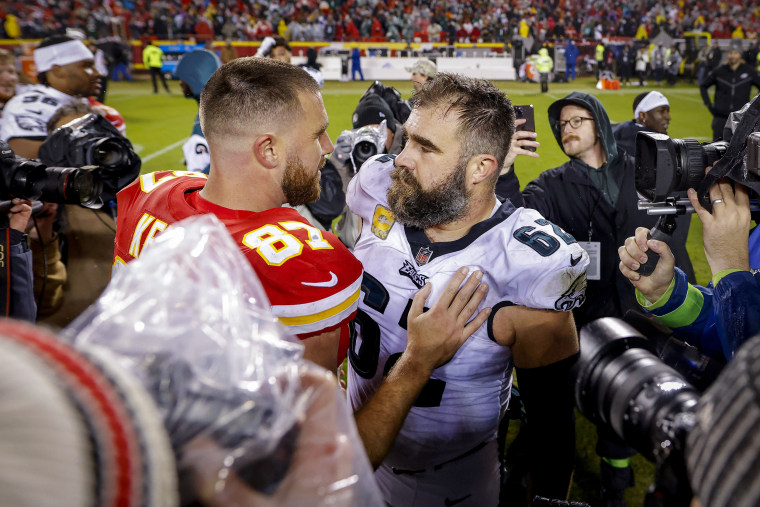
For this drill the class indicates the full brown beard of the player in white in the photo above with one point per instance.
(412, 205)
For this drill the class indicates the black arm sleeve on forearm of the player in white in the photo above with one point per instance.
(547, 393)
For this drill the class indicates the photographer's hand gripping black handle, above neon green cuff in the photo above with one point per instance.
(633, 253)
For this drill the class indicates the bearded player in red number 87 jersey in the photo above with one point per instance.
(266, 127)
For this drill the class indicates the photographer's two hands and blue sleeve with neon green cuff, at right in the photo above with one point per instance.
(717, 318)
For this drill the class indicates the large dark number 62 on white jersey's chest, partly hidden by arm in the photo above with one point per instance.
(365, 361)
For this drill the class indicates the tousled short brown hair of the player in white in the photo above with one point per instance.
(485, 114)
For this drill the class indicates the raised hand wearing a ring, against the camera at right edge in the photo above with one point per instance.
(725, 232)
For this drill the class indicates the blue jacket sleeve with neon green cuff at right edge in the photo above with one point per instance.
(718, 320)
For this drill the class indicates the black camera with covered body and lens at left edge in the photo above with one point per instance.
(84, 162)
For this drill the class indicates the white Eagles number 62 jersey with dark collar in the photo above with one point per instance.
(525, 260)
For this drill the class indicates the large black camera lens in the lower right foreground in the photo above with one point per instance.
(623, 382)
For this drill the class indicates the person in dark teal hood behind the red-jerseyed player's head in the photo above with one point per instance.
(195, 69)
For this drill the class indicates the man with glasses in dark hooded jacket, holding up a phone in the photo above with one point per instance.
(592, 196)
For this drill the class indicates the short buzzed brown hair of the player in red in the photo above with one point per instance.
(249, 92)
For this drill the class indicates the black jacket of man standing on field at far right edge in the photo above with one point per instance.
(732, 88)
